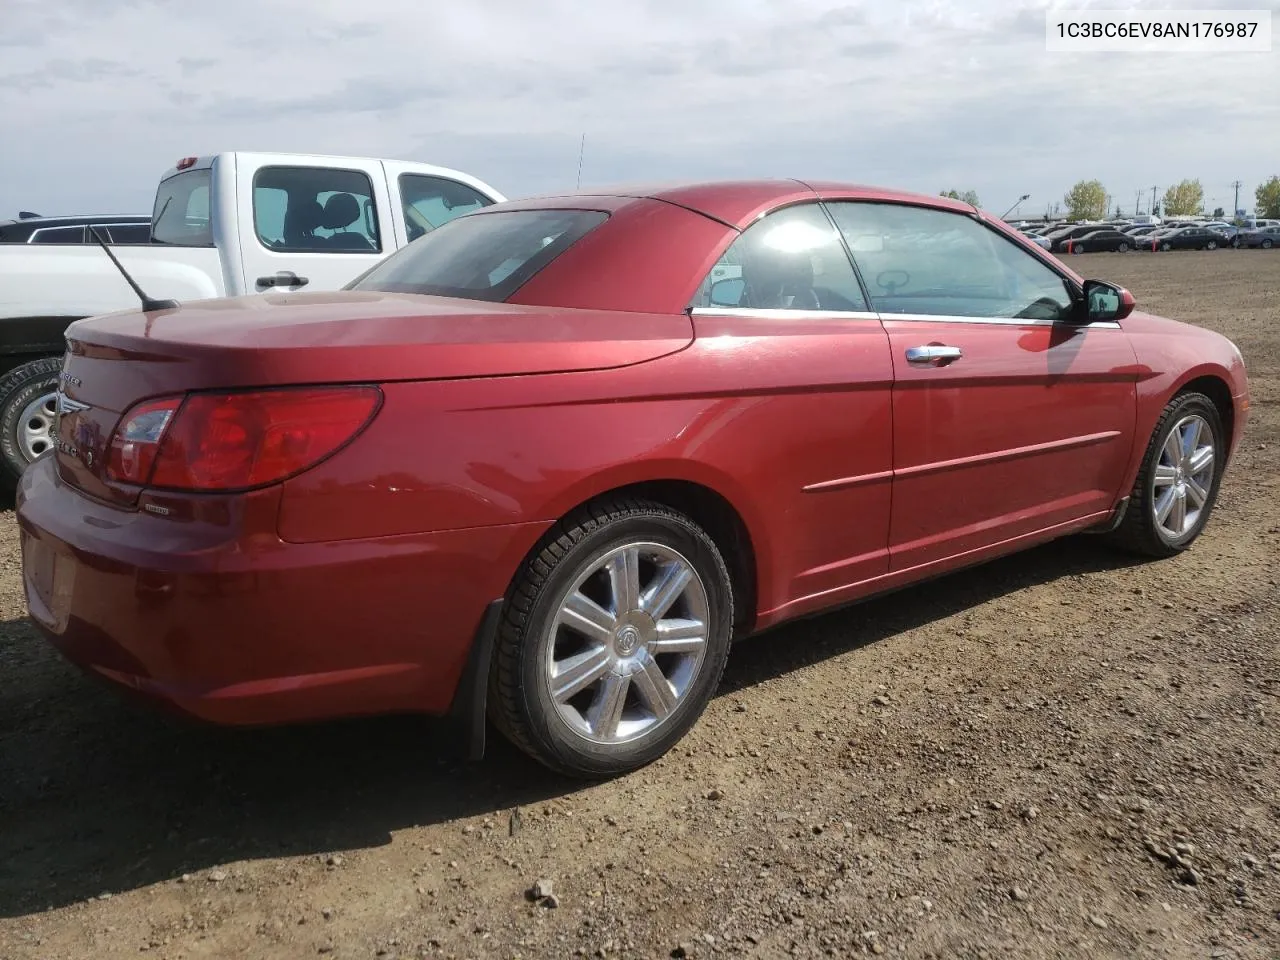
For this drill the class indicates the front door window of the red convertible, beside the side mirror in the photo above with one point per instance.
(921, 260)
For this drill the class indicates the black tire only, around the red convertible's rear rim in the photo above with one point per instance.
(520, 702)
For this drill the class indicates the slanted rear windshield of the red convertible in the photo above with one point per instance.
(481, 257)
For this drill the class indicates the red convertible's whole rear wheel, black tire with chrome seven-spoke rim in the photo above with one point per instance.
(614, 639)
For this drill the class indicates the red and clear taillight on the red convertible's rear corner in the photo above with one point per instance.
(239, 441)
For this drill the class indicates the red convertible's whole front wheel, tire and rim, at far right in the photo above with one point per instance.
(1178, 482)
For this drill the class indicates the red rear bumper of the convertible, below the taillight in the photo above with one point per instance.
(222, 620)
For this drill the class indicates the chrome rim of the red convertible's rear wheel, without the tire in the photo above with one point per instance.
(627, 643)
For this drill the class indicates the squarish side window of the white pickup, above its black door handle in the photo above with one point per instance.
(316, 211)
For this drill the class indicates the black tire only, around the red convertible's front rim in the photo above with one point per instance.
(1140, 533)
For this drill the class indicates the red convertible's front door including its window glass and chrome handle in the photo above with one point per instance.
(1009, 417)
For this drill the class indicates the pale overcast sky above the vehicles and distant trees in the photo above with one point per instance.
(98, 98)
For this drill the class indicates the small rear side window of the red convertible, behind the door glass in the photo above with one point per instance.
(790, 260)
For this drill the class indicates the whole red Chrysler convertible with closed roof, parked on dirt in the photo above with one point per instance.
(547, 463)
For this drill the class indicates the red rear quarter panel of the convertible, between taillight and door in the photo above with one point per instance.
(756, 419)
